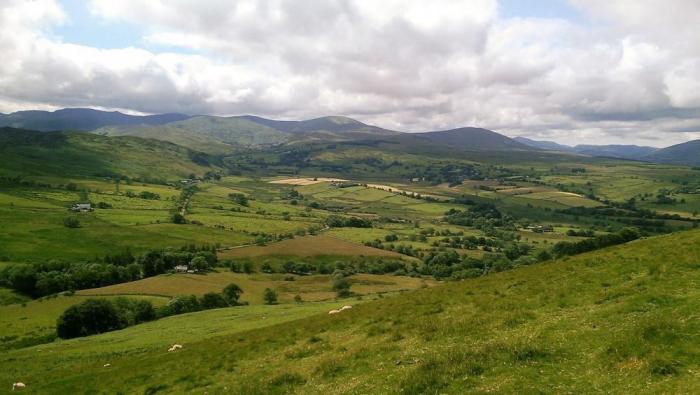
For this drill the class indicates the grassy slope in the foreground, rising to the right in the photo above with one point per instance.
(619, 320)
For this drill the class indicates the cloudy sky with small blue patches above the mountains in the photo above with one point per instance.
(571, 71)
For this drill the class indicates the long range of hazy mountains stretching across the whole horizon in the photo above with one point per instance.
(219, 135)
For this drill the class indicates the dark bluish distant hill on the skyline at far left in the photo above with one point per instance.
(83, 119)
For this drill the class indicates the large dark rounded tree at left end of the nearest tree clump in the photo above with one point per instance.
(88, 318)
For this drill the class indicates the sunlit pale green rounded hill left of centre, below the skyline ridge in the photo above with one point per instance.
(206, 133)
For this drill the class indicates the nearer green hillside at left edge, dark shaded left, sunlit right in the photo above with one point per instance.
(31, 153)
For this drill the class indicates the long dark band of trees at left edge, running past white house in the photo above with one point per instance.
(46, 278)
